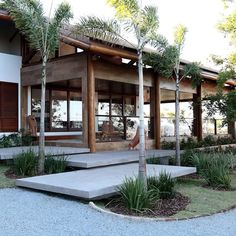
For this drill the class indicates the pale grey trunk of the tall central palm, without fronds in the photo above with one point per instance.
(142, 161)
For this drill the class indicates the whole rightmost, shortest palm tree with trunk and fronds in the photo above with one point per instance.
(167, 63)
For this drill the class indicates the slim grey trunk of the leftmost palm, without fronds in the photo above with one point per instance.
(41, 159)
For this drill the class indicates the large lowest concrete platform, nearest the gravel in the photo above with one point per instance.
(95, 183)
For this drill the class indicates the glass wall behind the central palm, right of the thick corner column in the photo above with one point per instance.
(117, 116)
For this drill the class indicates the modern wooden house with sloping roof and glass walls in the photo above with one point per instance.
(92, 93)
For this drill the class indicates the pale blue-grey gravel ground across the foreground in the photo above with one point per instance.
(24, 213)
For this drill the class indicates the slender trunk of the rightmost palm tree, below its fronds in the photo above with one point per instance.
(177, 147)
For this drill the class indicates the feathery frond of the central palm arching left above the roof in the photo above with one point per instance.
(97, 28)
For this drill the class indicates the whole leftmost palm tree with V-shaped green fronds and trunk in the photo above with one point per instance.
(43, 35)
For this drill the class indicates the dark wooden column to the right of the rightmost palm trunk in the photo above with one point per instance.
(197, 114)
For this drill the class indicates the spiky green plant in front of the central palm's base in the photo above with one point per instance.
(134, 195)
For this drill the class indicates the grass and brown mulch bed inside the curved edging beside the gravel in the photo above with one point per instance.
(195, 201)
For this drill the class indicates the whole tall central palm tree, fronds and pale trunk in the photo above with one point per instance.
(143, 23)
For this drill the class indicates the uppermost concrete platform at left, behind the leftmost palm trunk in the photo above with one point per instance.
(8, 153)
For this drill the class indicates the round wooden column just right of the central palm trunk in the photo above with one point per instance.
(157, 116)
